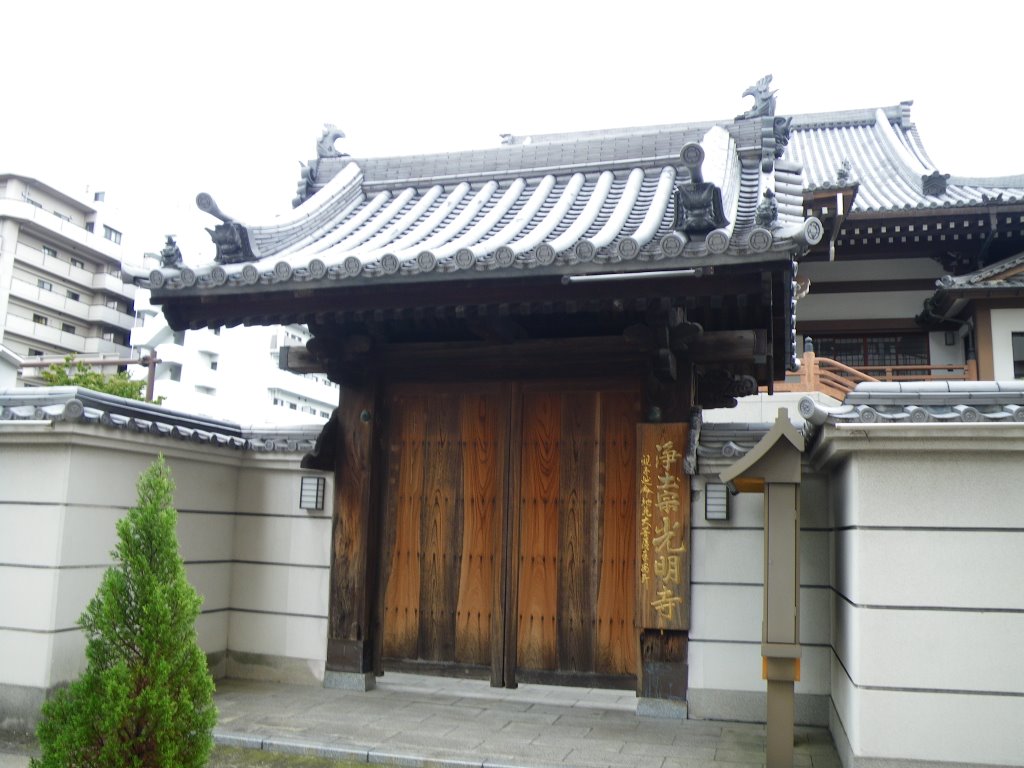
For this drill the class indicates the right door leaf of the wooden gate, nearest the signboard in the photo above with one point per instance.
(576, 517)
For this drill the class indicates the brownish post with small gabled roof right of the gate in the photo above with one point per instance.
(774, 468)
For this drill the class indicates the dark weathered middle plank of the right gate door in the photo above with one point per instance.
(578, 515)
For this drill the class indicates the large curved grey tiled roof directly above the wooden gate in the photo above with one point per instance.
(606, 199)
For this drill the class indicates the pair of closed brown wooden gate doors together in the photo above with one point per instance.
(508, 534)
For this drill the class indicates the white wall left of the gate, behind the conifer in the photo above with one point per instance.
(260, 563)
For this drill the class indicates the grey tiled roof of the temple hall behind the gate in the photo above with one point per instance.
(887, 162)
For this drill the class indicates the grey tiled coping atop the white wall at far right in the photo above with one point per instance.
(917, 403)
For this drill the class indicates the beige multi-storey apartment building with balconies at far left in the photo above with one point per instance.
(61, 269)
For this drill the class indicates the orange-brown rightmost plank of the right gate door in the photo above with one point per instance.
(617, 635)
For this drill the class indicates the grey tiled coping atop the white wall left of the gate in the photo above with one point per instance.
(87, 407)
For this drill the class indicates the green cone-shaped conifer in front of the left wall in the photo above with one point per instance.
(146, 698)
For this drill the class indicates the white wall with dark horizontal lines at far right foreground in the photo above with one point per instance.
(928, 612)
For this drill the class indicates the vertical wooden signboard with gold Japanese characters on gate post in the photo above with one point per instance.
(664, 528)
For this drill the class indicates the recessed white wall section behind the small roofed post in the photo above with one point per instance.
(728, 594)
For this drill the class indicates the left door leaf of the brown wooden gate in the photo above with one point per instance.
(442, 557)
